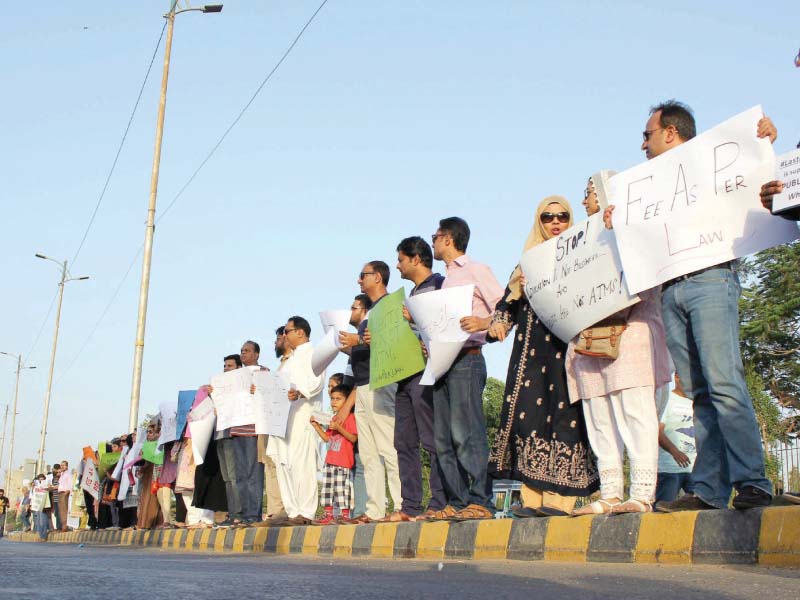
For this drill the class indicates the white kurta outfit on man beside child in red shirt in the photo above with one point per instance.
(296, 455)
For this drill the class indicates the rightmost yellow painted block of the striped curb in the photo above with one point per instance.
(779, 538)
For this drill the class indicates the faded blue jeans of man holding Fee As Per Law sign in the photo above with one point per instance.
(701, 319)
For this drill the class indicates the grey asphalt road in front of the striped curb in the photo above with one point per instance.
(56, 571)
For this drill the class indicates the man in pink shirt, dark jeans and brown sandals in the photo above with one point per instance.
(459, 424)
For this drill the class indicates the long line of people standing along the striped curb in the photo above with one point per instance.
(567, 418)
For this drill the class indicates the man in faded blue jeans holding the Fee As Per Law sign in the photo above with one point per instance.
(701, 319)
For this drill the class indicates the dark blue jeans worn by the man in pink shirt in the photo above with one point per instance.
(459, 429)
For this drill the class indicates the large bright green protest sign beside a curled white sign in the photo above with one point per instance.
(395, 352)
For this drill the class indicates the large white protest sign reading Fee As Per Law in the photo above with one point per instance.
(697, 205)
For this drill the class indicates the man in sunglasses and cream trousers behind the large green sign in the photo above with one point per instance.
(374, 409)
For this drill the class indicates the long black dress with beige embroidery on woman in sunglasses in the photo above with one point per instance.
(542, 438)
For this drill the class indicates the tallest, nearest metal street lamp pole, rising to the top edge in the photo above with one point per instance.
(144, 287)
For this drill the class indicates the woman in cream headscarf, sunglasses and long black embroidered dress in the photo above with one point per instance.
(542, 439)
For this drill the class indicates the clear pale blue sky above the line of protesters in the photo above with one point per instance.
(386, 117)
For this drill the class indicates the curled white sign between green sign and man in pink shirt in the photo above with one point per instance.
(437, 316)
